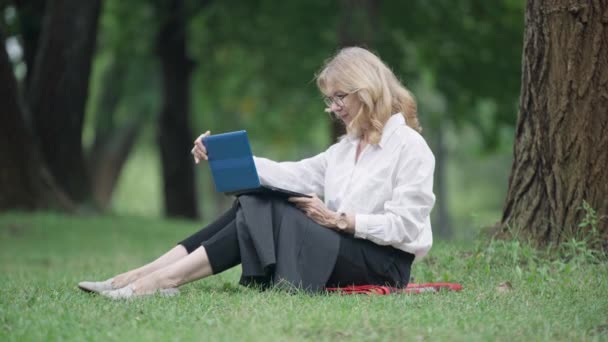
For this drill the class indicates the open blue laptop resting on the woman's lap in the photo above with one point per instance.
(233, 168)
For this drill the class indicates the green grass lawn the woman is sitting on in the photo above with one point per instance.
(43, 256)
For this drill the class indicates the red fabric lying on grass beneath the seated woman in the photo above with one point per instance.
(382, 290)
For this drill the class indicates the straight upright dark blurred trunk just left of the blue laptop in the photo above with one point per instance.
(175, 137)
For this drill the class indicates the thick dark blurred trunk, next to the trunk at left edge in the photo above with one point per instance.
(59, 89)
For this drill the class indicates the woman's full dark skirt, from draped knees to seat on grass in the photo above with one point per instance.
(280, 246)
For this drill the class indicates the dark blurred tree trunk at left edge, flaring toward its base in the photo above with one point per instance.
(24, 182)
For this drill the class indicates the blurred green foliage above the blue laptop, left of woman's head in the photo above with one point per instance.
(255, 68)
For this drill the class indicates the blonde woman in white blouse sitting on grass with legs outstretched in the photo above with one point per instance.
(376, 183)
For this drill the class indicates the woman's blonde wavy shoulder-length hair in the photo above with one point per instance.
(359, 72)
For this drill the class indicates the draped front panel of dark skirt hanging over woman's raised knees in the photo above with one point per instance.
(280, 246)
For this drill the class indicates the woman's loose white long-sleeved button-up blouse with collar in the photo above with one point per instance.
(389, 189)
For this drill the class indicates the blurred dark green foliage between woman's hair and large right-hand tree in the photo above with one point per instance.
(469, 52)
